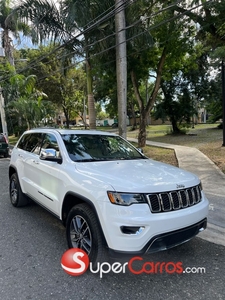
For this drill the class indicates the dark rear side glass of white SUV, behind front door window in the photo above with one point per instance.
(31, 142)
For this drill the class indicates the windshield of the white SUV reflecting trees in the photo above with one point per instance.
(86, 147)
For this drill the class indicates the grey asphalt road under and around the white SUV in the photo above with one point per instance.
(33, 241)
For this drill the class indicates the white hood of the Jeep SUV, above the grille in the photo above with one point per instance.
(143, 176)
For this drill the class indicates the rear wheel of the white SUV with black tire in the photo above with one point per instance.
(17, 197)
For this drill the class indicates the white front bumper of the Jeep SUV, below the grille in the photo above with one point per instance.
(134, 229)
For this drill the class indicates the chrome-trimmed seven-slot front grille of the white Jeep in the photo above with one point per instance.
(174, 200)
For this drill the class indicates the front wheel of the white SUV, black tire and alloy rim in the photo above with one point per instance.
(83, 232)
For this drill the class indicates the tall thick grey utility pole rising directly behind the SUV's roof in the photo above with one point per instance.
(121, 67)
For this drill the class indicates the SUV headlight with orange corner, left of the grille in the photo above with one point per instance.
(125, 198)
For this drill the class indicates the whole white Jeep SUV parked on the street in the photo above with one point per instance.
(107, 193)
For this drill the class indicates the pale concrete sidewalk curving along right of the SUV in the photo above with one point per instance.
(213, 181)
